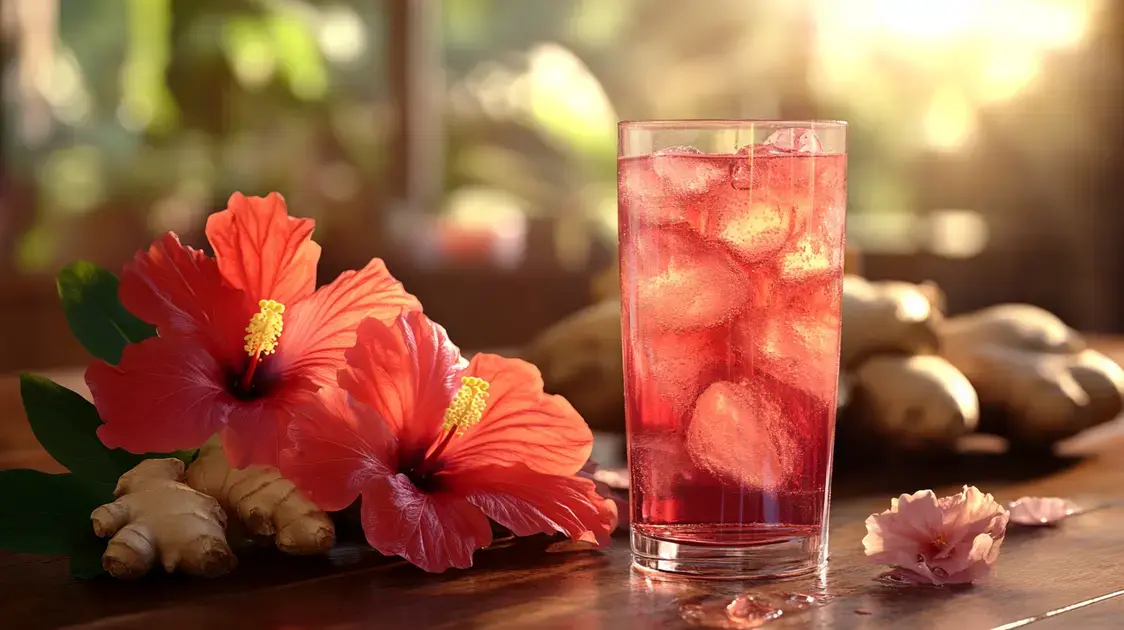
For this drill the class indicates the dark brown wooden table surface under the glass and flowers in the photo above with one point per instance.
(1069, 577)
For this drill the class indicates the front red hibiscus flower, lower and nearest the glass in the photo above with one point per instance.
(437, 446)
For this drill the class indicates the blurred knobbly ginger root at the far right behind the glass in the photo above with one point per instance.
(1030, 366)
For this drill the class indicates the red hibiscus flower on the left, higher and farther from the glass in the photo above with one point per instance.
(242, 336)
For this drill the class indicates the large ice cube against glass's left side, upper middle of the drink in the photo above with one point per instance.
(682, 282)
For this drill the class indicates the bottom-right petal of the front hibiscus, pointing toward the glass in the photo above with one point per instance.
(529, 502)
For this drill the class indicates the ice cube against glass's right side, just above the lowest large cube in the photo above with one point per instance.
(795, 340)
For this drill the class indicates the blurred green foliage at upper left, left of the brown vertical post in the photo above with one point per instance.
(167, 106)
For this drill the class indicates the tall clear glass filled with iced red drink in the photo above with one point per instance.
(731, 278)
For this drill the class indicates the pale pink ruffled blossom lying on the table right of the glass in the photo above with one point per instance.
(929, 541)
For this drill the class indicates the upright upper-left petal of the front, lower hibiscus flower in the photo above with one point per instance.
(407, 373)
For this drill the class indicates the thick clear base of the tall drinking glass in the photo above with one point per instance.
(792, 555)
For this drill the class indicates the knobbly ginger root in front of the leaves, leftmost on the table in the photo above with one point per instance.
(158, 516)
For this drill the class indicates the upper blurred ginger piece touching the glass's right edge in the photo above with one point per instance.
(886, 318)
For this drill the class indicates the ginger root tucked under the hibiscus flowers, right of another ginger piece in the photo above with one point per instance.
(265, 502)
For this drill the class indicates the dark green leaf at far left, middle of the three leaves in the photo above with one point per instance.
(67, 427)
